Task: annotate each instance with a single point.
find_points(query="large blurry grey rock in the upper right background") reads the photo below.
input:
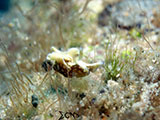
(127, 14)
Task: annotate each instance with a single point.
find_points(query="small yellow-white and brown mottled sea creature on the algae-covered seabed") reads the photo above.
(67, 60)
